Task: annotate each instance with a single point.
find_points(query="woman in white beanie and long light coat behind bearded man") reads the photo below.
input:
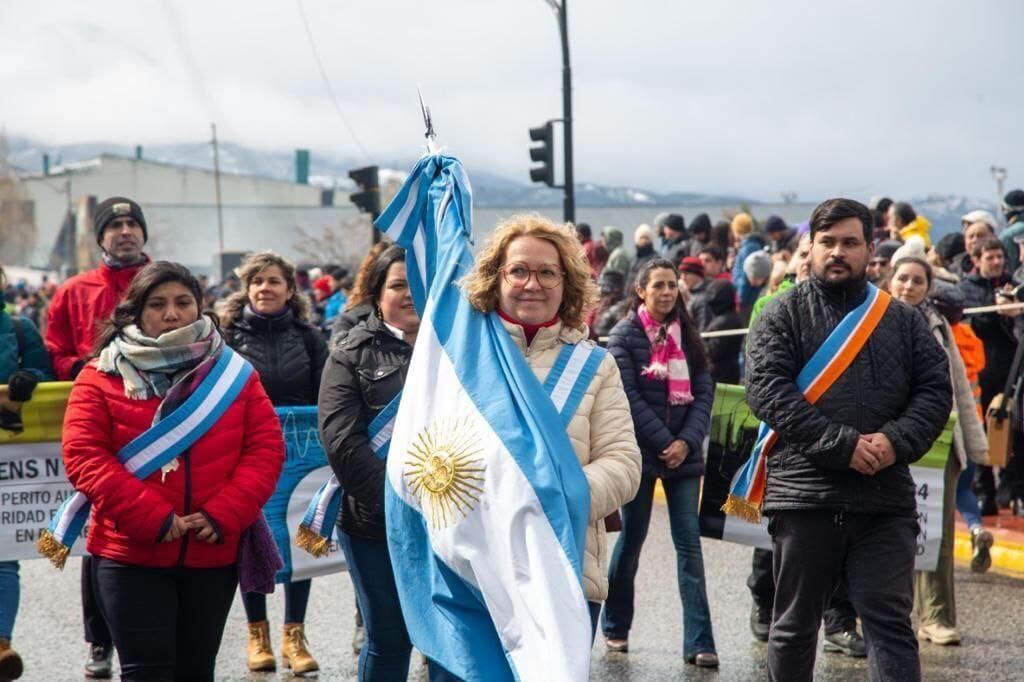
(933, 595)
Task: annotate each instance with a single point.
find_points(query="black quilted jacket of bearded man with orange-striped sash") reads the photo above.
(899, 385)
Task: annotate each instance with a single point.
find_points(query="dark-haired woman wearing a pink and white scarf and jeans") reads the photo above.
(665, 374)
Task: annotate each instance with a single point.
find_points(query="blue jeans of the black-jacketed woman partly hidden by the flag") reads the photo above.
(388, 648)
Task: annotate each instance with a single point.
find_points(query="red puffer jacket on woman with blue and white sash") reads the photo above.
(229, 474)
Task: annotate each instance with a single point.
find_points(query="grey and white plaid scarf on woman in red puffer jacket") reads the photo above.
(159, 368)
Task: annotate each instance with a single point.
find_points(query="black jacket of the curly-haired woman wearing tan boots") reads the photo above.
(288, 354)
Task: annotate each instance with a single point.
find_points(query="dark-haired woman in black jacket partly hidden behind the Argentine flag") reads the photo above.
(365, 372)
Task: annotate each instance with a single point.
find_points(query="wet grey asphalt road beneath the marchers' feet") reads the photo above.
(991, 609)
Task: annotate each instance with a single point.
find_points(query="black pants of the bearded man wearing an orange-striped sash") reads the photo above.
(815, 551)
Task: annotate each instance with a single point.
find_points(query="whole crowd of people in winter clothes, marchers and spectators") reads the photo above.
(169, 540)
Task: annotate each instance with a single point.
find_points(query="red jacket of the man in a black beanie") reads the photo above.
(78, 311)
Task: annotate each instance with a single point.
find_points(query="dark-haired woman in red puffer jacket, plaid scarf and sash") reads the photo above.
(167, 542)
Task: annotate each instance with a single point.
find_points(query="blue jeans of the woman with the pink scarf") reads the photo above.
(681, 495)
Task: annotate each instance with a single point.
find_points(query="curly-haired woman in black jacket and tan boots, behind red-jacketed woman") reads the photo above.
(268, 323)
